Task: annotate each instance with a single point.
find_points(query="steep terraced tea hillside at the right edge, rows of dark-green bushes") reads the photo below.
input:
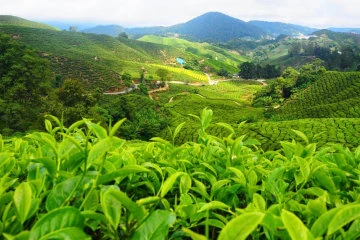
(333, 95)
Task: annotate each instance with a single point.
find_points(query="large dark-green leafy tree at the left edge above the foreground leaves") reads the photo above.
(24, 80)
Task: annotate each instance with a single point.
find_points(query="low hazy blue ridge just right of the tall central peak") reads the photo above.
(277, 28)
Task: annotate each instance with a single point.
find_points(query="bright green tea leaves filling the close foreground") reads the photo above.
(82, 182)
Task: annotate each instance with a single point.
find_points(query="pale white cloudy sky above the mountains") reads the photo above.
(138, 13)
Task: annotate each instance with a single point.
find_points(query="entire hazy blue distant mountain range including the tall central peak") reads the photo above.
(215, 26)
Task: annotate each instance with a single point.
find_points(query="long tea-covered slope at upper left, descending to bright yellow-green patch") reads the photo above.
(99, 60)
